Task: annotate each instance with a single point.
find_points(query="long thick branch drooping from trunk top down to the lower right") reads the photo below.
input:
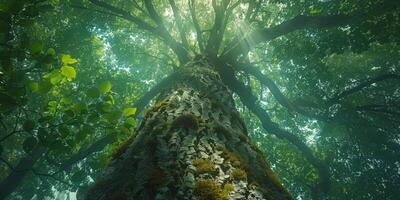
(250, 101)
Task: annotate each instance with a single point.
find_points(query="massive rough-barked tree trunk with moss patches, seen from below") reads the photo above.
(192, 144)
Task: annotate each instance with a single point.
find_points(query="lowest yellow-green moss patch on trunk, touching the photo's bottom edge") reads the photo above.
(208, 189)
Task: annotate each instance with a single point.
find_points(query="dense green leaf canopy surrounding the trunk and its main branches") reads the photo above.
(71, 72)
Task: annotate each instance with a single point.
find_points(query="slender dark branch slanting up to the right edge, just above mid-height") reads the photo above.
(361, 86)
